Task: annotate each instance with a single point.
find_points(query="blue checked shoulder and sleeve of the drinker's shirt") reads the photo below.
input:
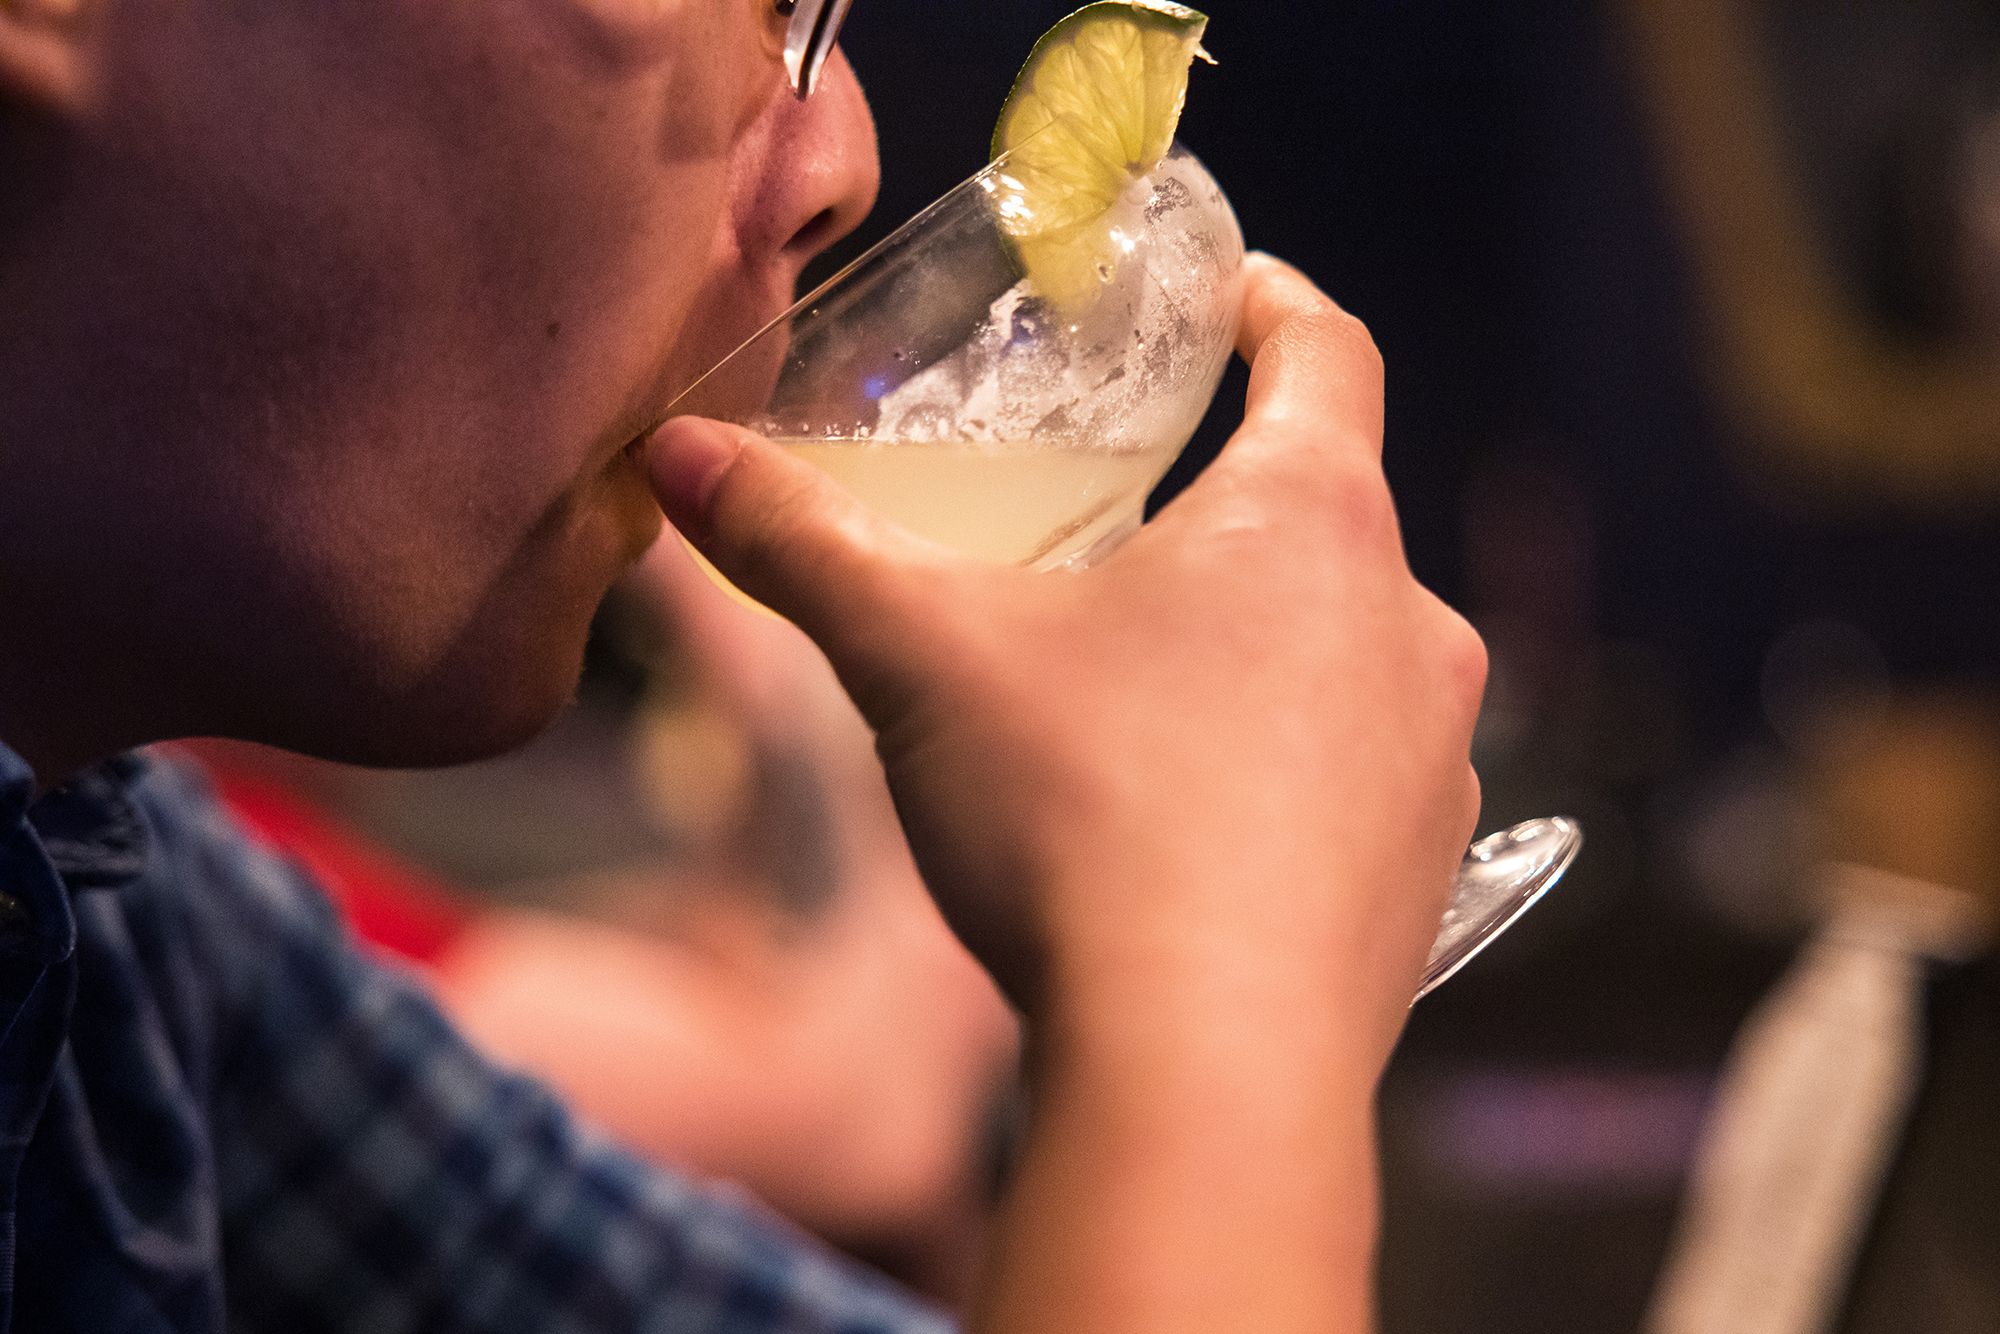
(435, 1187)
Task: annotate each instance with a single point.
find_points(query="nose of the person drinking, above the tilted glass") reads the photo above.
(817, 175)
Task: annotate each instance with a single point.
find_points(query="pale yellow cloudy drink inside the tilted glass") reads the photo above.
(1033, 503)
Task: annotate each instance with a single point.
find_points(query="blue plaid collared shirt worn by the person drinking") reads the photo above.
(217, 1115)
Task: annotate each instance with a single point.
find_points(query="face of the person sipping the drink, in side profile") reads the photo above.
(369, 303)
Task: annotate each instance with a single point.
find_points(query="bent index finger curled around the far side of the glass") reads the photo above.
(1311, 363)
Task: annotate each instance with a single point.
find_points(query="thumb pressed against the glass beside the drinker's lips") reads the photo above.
(791, 537)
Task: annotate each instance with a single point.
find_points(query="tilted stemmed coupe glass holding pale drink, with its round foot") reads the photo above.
(1021, 425)
